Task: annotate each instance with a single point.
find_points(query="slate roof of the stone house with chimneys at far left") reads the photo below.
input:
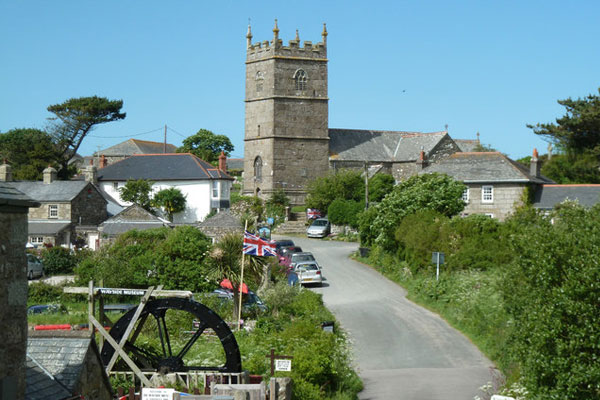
(58, 191)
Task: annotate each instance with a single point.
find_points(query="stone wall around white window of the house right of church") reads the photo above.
(506, 197)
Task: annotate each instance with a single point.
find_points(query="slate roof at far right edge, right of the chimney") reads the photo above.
(548, 196)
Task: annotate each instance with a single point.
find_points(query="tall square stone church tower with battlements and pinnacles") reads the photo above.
(286, 129)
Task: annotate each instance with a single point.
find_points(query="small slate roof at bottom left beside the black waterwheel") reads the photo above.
(60, 354)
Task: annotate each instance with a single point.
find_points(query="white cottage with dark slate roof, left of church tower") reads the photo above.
(205, 186)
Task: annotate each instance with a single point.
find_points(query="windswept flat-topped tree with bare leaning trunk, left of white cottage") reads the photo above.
(75, 118)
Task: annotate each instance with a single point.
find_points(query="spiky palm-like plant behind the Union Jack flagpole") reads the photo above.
(227, 264)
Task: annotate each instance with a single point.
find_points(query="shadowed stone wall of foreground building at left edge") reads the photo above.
(13, 303)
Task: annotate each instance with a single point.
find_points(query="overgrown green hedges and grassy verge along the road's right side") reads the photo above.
(525, 290)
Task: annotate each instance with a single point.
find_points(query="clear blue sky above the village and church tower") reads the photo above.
(484, 66)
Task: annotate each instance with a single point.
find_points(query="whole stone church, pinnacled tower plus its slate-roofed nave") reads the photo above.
(288, 142)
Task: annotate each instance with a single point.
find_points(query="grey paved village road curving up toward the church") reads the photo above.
(402, 351)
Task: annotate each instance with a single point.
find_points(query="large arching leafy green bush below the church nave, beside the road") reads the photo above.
(437, 192)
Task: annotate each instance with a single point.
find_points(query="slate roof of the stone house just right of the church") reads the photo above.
(484, 167)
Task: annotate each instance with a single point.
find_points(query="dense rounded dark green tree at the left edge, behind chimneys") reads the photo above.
(29, 152)
